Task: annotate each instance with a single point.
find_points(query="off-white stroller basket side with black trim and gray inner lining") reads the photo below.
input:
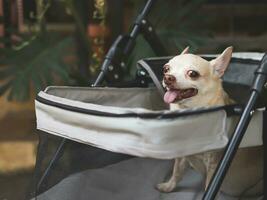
(92, 116)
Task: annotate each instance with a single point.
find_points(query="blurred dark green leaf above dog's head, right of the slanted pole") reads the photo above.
(180, 23)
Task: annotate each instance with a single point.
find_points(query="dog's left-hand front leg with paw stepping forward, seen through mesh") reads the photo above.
(177, 173)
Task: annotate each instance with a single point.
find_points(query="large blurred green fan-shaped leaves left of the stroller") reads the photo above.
(38, 58)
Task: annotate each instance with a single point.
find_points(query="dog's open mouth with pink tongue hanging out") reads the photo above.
(173, 95)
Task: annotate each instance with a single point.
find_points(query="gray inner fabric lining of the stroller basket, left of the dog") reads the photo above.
(148, 98)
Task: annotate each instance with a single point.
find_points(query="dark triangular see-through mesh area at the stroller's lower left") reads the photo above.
(73, 158)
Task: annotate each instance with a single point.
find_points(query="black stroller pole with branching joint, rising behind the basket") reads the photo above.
(124, 44)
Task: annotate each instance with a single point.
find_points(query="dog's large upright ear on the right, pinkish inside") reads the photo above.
(221, 63)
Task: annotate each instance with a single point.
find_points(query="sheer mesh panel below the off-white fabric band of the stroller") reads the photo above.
(83, 172)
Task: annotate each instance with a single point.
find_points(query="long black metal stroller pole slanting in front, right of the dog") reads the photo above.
(259, 81)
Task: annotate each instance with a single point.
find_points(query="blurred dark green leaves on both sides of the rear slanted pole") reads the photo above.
(177, 23)
